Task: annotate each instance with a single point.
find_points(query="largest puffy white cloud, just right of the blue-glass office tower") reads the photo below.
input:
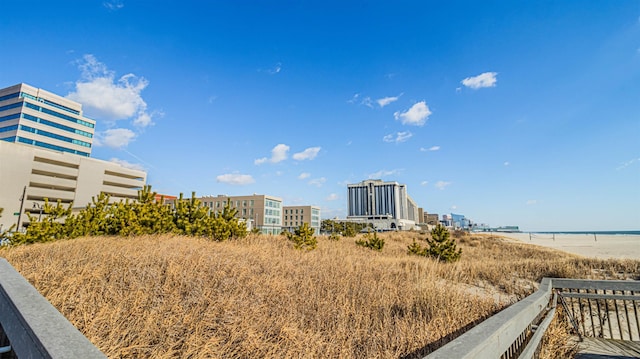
(103, 97)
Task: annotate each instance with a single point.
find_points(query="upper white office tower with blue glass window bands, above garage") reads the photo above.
(39, 118)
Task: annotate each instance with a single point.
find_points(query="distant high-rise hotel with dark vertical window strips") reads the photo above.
(385, 205)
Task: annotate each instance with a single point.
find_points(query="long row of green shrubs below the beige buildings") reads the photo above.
(131, 218)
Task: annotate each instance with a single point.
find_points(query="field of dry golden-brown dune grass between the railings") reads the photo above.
(169, 296)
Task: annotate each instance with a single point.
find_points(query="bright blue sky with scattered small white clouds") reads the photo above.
(509, 112)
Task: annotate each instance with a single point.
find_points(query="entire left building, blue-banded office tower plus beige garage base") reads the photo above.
(45, 147)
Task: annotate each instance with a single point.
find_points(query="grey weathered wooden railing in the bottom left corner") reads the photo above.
(30, 327)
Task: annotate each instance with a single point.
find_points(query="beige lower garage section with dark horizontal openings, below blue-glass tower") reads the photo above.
(74, 180)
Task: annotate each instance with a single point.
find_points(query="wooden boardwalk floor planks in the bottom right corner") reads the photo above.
(597, 348)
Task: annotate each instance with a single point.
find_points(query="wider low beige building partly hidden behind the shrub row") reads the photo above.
(258, 210)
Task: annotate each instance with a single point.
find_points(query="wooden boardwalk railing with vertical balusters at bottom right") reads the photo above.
(599, 308)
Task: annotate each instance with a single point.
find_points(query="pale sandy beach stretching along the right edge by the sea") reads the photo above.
(587, 245)
